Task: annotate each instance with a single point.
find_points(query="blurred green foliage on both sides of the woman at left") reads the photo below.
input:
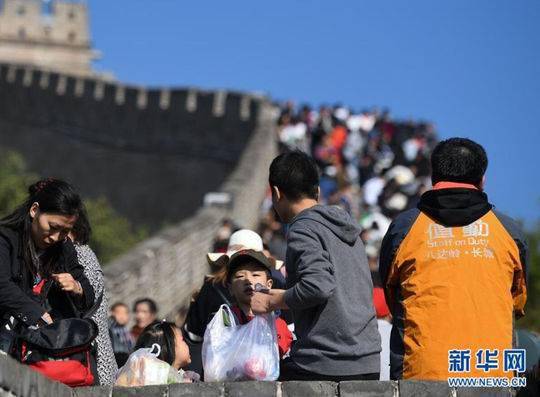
(112, 235)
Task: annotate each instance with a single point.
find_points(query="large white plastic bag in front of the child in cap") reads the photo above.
(233, 352)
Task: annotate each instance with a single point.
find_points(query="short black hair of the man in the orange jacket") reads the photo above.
(458, 160)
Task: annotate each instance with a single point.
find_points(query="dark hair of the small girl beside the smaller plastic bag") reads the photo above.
(162, 333)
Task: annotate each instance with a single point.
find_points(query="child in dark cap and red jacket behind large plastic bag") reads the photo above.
(246, 271)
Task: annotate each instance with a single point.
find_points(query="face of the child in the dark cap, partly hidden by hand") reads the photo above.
(245, 278)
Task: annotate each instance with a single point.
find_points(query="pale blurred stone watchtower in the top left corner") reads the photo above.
(52, 35)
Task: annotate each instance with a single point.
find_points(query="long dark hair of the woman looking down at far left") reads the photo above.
(54, 197)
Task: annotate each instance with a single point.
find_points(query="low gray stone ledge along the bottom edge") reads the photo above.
(20, 381)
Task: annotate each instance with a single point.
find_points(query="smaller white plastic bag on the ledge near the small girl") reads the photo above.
(143, 368)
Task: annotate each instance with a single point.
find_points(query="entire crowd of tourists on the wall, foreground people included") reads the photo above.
(378, 256)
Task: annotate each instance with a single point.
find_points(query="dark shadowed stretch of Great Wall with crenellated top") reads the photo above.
(157, 145)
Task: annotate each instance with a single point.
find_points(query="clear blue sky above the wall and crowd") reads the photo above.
(471, 67)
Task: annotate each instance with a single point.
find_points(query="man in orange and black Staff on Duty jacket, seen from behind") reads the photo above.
(454, 271)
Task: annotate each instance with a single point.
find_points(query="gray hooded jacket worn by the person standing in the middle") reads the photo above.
(329, 292)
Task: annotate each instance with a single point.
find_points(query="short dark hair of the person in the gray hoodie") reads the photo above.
(295, 174)
